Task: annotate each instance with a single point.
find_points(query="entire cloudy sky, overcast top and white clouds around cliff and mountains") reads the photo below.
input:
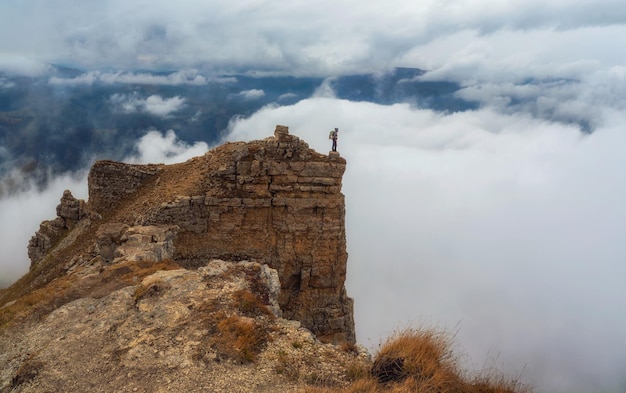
(504, 225)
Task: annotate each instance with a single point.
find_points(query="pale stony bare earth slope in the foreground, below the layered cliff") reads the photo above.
(176, 330)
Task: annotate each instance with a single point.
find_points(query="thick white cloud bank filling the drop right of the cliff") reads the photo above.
(505, 228)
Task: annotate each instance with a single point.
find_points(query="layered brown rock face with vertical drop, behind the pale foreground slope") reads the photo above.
(273, 201)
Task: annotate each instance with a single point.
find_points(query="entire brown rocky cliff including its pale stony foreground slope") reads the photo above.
(236, 256)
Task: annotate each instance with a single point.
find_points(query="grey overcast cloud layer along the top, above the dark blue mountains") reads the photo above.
(323, 37)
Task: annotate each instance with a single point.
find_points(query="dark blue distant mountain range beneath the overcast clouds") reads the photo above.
(60, 121)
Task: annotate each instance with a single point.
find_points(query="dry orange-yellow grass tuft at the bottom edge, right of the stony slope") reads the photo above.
(421, 361)
